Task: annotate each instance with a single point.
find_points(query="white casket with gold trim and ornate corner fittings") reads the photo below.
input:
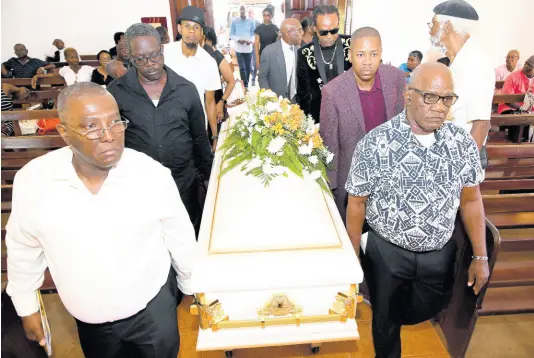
(276, 265)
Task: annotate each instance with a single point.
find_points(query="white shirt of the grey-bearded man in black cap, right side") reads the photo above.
(474, 83)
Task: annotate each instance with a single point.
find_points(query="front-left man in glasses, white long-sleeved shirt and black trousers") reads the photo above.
(112, 247)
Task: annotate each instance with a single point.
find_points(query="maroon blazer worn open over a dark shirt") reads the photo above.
(342, 125)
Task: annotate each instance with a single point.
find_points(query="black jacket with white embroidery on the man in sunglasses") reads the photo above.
(311, 75)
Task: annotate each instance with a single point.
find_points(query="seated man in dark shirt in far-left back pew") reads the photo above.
(23, 66)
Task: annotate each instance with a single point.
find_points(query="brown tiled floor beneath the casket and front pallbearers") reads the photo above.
(494, 337)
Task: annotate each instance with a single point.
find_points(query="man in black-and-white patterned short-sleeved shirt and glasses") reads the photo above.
(408, 177)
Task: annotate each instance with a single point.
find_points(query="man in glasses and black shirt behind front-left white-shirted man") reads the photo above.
(166, 116)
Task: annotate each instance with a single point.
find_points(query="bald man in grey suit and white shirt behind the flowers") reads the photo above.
(278, 61)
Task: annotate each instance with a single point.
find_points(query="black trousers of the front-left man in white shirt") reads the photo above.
(151, 333)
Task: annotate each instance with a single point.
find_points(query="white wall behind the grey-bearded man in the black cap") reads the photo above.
(503, 25)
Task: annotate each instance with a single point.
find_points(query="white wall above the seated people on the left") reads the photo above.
(86, 26)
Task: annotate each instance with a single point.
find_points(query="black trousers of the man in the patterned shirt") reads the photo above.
(405, 287)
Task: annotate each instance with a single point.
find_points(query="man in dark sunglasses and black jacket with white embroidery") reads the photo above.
(323, 59)
